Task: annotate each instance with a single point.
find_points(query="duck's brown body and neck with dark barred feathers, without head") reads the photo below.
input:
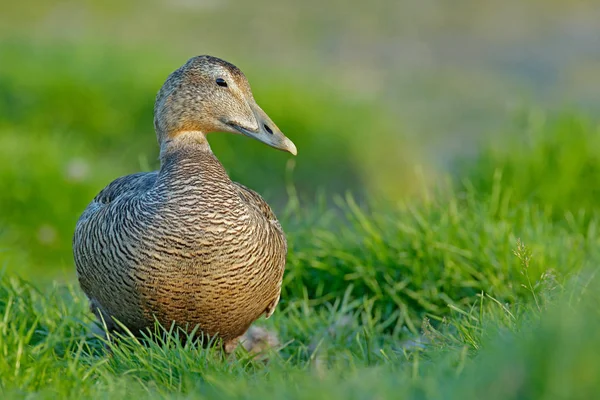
(183, 244)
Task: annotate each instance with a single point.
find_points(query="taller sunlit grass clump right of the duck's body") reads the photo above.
(417, 258)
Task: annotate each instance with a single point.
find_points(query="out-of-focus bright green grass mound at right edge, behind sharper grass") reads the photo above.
(552, 160)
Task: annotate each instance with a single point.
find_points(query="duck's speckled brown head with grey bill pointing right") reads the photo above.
(207, 95)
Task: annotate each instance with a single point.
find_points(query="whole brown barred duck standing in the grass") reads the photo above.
(185, 246)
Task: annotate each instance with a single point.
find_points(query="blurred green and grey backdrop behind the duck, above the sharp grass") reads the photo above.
(382, 98)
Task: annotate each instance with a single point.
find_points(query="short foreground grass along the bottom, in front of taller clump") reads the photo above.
(542, 345)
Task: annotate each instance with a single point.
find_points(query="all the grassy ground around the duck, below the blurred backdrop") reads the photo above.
(455, 307)
